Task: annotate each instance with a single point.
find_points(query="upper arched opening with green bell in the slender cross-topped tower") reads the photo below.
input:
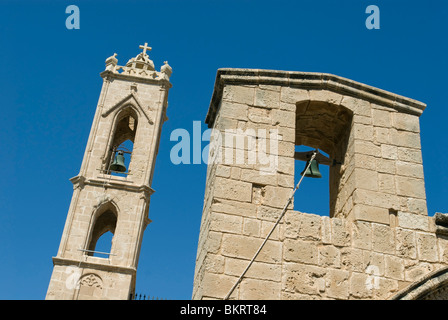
(119, 157)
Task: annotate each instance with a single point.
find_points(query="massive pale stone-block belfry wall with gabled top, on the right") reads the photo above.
(377, 238)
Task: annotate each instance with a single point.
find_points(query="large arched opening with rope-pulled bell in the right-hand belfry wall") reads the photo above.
(324, 127)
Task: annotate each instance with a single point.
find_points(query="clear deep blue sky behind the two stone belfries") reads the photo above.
(50, 86)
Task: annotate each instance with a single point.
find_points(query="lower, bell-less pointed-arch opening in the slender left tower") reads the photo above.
(102, 234)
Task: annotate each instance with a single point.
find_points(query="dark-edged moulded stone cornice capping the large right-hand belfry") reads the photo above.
(308, 81)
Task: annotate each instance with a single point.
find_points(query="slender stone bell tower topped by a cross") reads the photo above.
(111, 193)
